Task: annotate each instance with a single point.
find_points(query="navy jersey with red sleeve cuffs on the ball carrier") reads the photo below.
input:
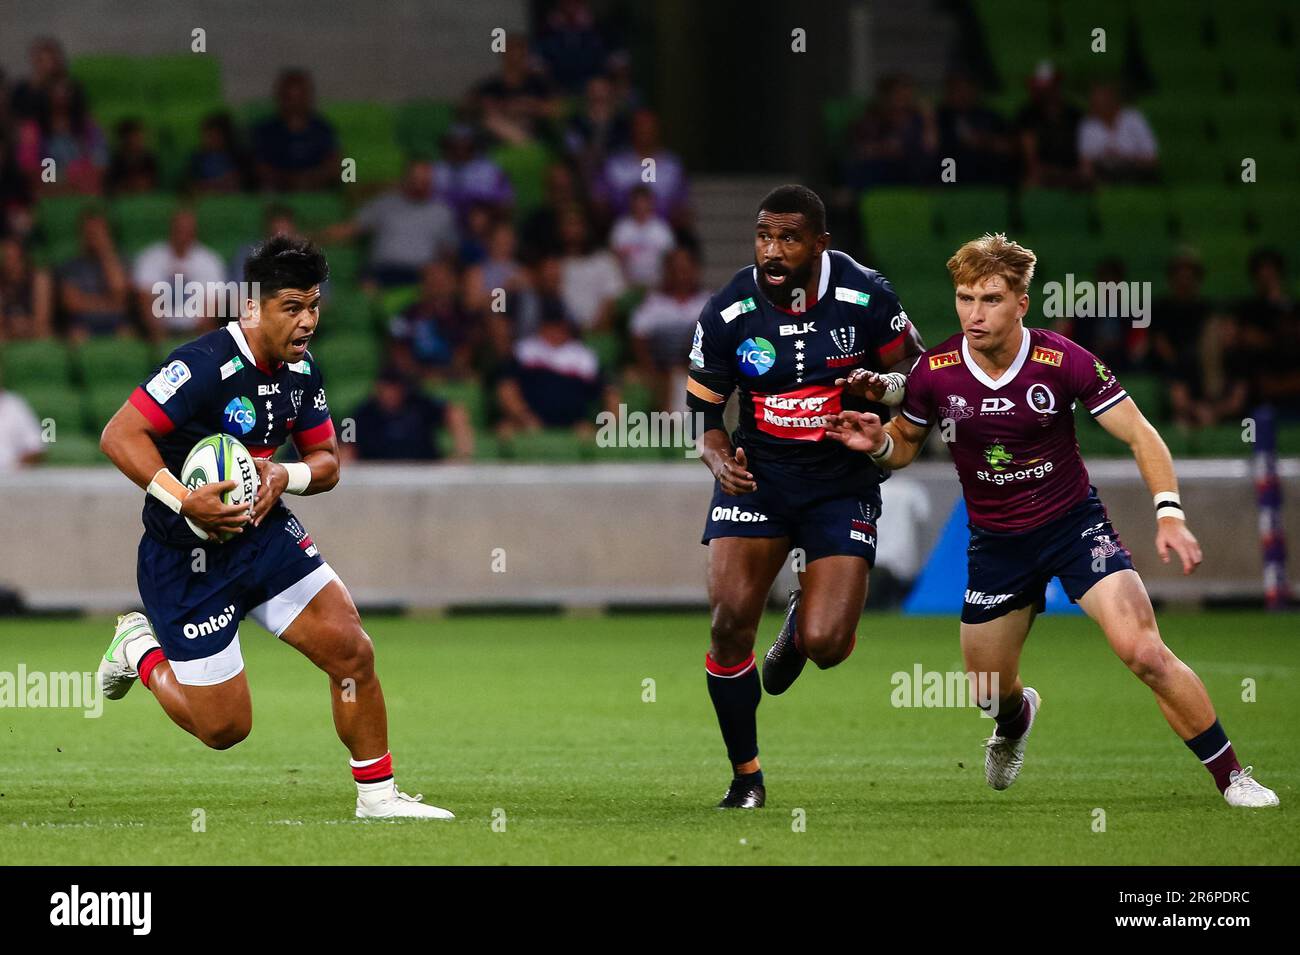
(214, 385)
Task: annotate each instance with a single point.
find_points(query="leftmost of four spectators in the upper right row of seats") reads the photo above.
(895, 141)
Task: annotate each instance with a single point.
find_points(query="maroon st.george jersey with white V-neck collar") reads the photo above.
(1013, 440)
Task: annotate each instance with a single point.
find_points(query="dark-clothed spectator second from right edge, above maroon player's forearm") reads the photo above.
(1178, 327)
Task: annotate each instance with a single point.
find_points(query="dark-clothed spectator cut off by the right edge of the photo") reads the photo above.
(1269, 333)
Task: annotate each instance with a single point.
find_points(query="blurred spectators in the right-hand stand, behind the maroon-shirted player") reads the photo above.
(1219, 358)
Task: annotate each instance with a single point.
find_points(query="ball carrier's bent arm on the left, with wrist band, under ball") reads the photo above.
(128, 441)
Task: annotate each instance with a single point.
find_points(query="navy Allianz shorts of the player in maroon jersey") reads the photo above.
(1007, 572)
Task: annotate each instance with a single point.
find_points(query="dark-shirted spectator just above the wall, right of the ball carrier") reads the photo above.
(401, 423)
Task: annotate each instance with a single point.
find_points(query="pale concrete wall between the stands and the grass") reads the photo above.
(578, 536)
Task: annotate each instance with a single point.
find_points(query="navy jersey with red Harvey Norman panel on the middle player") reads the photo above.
(786, 364)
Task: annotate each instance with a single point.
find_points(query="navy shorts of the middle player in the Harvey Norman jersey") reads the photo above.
(825, 519)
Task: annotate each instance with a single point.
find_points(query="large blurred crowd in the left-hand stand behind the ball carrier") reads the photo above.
(552, 307)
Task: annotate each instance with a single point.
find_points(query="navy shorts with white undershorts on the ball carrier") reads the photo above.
(197, 597)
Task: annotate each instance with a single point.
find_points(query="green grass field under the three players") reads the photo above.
(543, 718)
